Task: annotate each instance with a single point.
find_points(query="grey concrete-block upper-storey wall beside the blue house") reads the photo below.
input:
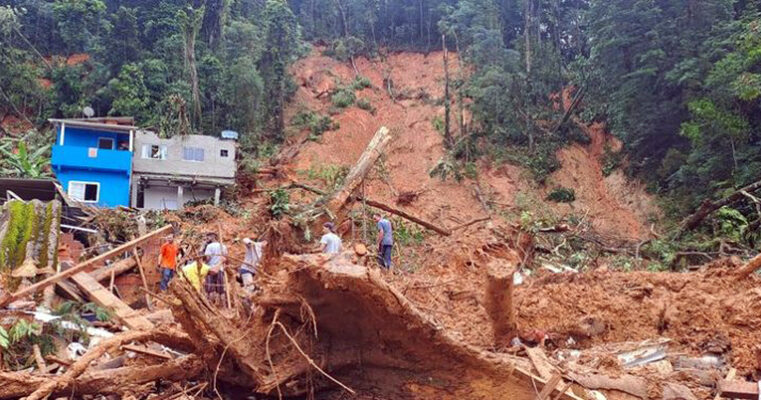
(214, 165)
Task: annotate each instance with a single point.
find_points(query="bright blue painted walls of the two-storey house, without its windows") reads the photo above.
(112, 169)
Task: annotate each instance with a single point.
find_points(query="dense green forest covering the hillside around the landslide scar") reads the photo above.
(677, 81)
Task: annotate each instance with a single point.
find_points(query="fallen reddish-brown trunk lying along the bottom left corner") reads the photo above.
(117, 381)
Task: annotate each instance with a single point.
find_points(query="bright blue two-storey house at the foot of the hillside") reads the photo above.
(92, 159)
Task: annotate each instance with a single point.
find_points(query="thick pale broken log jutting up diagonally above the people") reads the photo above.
(357, 174)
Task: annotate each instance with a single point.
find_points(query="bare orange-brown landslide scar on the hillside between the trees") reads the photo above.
(615, 206)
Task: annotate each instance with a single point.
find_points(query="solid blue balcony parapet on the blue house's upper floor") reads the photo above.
(92, 158)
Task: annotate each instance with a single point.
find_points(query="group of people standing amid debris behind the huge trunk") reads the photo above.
(207, 272)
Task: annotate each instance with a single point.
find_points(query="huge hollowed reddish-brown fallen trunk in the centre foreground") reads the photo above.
(297, 339)
